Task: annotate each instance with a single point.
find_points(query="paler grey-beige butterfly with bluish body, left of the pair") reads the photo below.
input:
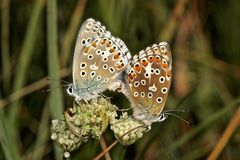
(99, 61)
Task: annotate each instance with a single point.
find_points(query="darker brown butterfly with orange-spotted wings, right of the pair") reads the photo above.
(148, 80)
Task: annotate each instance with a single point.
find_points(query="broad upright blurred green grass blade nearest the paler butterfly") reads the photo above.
(55, 101)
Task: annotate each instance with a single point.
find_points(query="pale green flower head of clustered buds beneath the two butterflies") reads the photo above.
(89, 120)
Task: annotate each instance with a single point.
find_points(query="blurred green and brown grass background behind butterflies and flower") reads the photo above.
(37, 41)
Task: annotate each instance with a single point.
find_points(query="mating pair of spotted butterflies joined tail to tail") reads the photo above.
(102, 62)
